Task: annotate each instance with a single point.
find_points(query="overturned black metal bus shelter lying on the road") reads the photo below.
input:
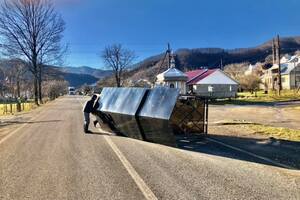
(153, 115)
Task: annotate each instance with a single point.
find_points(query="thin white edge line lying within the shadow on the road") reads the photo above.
(251, 154)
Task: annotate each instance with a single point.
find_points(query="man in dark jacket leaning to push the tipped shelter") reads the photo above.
(89, 107)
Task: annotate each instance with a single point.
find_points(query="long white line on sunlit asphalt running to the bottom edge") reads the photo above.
(147, 192)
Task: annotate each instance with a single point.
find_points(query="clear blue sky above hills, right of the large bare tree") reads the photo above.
(146, 26)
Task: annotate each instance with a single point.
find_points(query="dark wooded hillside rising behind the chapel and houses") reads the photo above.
(188, 59)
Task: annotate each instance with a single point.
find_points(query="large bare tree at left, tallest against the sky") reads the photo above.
(32, 30)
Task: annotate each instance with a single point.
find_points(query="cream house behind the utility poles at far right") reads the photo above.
(290, 74)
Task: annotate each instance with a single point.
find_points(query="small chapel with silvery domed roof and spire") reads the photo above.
(172, 78)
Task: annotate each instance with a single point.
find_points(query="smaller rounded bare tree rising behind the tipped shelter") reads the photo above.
(118, 58)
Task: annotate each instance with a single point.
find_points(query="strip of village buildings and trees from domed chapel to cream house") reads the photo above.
(217, 83)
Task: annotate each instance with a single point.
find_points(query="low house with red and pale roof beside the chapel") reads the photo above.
(212, 83)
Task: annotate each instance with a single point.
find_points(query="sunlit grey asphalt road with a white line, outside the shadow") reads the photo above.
(51, 158)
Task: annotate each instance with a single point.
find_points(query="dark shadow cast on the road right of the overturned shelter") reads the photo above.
(280, 151)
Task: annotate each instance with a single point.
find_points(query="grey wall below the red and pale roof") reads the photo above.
(218, 90)
